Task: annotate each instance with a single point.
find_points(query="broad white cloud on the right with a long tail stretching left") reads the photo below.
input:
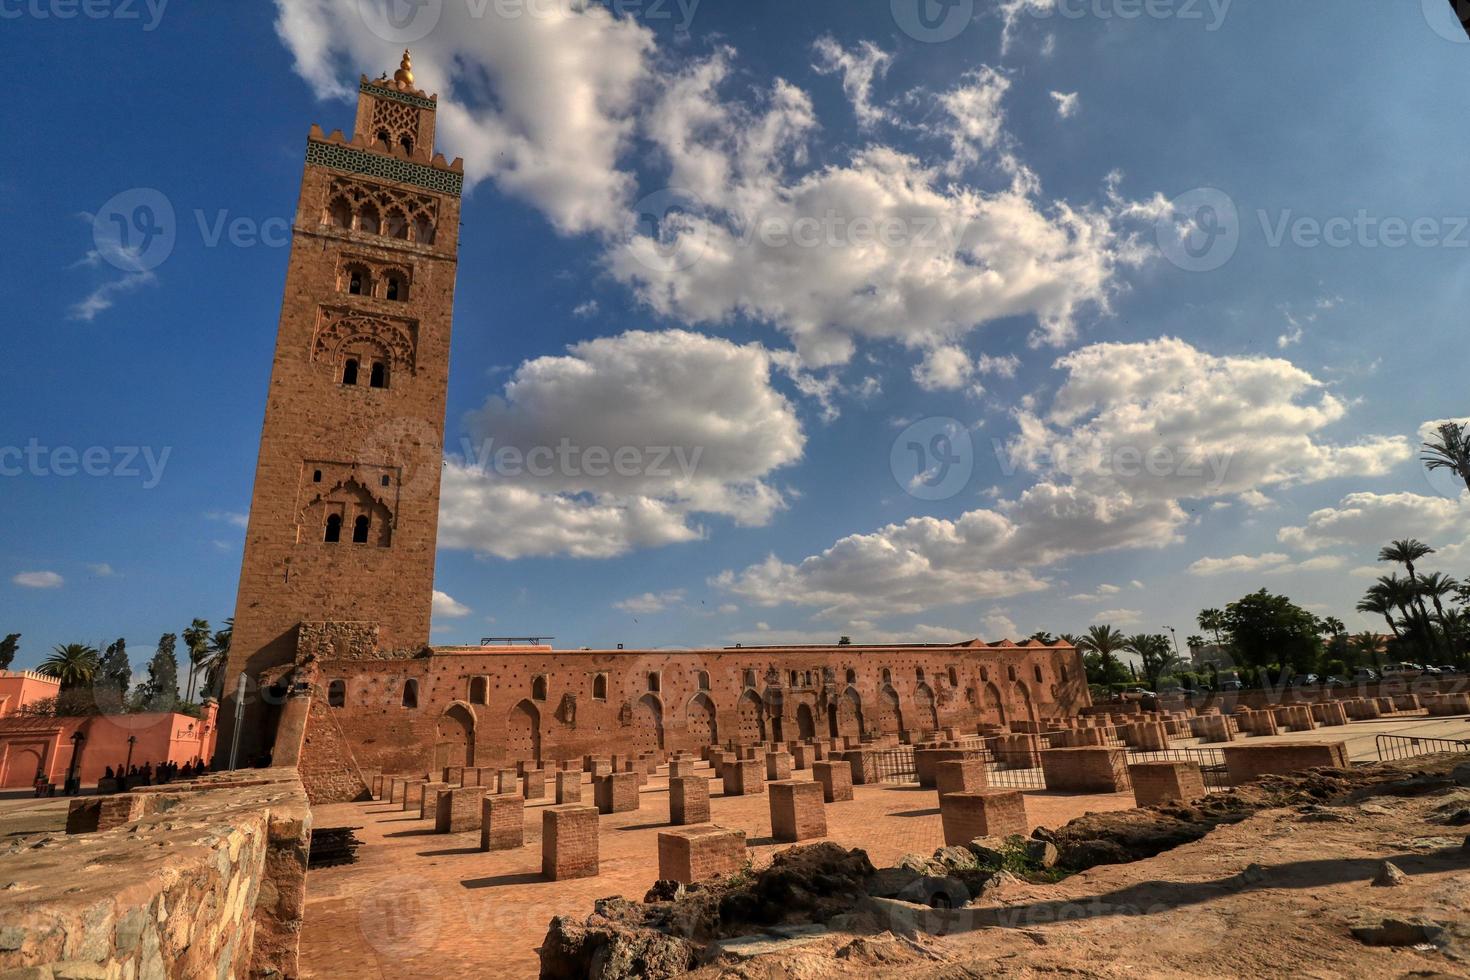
(1258, 417)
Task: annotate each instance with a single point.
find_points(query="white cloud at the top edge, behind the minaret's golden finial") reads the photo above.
(543, 105)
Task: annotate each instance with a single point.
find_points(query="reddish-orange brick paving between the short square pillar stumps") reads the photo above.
(420, 903)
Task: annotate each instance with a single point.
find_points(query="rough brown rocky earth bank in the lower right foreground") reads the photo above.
(1330, 873)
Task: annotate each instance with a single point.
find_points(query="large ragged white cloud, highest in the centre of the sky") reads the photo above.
(883, 246)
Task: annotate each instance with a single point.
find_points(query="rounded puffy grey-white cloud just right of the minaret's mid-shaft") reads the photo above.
(621, 444)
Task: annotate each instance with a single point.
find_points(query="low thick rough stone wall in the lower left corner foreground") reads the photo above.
(205, 879)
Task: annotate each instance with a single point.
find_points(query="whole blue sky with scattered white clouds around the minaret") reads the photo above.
(1061, 318)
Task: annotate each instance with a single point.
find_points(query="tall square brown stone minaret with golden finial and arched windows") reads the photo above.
(345, 514)
